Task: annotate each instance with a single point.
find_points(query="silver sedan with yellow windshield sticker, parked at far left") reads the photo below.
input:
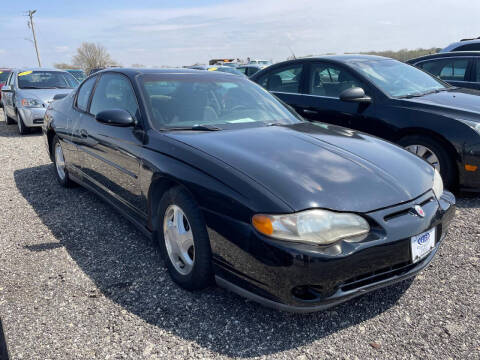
(28, 92)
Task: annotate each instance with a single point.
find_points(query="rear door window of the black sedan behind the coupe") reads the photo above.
(286, 79)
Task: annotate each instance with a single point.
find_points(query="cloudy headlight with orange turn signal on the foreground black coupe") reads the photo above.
(321, 227)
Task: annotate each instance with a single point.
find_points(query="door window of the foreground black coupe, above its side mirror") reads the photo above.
(114, 91)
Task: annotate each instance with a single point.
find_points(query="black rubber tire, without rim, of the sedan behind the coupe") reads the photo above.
(447, 165)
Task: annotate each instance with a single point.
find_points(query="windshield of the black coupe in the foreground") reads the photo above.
(189, 101)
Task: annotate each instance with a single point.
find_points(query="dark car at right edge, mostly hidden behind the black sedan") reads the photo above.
(459, 68)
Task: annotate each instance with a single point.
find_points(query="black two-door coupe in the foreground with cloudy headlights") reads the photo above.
(238, 189)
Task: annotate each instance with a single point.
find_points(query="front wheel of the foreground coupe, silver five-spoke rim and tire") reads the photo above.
(197, 274)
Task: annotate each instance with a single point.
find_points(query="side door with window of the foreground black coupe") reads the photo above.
(110, 155)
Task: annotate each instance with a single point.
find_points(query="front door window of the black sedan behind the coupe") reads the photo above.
(330, 80)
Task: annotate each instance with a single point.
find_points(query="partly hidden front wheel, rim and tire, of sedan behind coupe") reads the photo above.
(435, 154)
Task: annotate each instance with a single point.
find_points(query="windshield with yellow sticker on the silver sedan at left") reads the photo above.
(46, 80)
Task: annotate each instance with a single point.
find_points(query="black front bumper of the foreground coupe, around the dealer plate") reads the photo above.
(303, 278)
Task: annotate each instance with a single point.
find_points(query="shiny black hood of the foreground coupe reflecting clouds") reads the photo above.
(319, 166)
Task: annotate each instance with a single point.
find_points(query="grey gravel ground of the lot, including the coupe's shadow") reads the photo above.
(77, 281)
